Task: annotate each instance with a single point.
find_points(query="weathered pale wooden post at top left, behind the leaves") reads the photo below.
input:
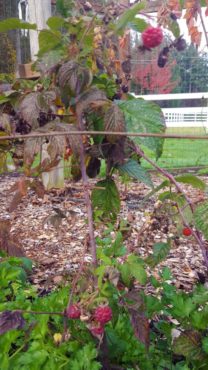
(38, 11)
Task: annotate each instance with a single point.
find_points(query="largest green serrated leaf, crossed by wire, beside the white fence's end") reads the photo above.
(144, 117)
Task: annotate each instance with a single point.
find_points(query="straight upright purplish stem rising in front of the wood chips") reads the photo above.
(87, 195)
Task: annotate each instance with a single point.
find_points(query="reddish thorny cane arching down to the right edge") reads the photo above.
(196, 234)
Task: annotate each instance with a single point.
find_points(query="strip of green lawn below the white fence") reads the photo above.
(182, 152)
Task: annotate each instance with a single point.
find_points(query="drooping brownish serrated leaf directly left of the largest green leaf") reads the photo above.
(114, 121)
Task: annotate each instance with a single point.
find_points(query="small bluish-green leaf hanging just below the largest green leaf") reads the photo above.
(135, 170)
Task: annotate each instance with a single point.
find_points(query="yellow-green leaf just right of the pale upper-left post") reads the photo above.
(48, 40)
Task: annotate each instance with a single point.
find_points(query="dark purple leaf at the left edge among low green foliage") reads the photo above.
(10, 320)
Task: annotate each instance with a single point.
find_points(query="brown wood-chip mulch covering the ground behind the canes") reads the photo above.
(57, 244)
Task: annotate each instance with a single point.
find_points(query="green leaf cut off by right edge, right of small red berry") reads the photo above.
(201, 218)
